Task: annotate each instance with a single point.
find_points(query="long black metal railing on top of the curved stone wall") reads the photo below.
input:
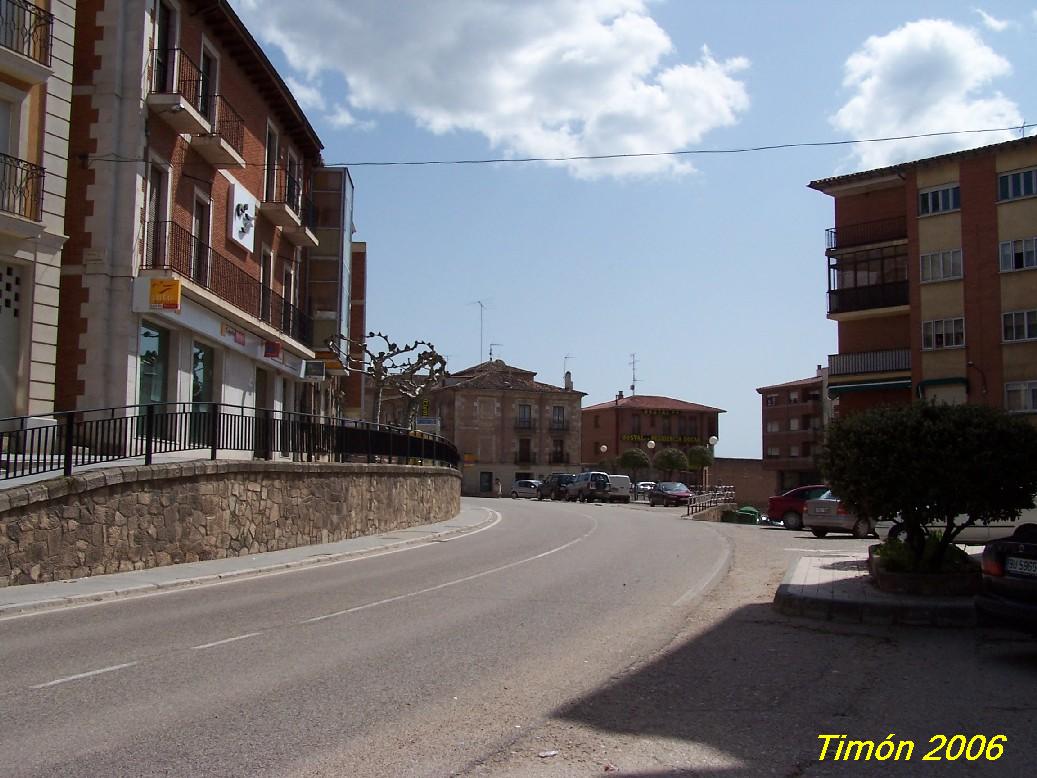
(82, 438)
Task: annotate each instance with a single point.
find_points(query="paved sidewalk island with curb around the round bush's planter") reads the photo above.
(839, 590)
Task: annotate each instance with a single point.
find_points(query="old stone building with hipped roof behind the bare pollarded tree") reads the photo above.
(507, 425)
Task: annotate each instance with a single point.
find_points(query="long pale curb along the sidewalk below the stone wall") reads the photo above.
(132, 591)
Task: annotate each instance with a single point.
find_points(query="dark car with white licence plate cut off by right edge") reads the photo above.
(1008, 597)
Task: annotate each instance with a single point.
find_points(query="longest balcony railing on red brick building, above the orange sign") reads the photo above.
(171, 247)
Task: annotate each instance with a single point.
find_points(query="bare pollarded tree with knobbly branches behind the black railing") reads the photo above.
(411, 370)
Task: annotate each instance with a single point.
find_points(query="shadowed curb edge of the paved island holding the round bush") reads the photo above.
(792, 601)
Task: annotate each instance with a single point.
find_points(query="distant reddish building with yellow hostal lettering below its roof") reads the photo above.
(634, 422)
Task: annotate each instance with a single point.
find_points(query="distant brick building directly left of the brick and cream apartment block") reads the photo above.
(794, 416)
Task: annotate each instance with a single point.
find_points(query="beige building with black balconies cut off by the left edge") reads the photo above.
(36, 90)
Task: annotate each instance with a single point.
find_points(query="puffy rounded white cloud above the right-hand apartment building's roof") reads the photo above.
(927, 77)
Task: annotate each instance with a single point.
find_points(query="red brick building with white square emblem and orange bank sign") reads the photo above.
(190, 214)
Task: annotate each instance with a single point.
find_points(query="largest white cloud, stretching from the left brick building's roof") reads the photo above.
(542, 78)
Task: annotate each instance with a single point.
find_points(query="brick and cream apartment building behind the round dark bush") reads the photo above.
(933, 281)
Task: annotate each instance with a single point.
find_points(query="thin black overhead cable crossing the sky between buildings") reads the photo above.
(626, 156)
